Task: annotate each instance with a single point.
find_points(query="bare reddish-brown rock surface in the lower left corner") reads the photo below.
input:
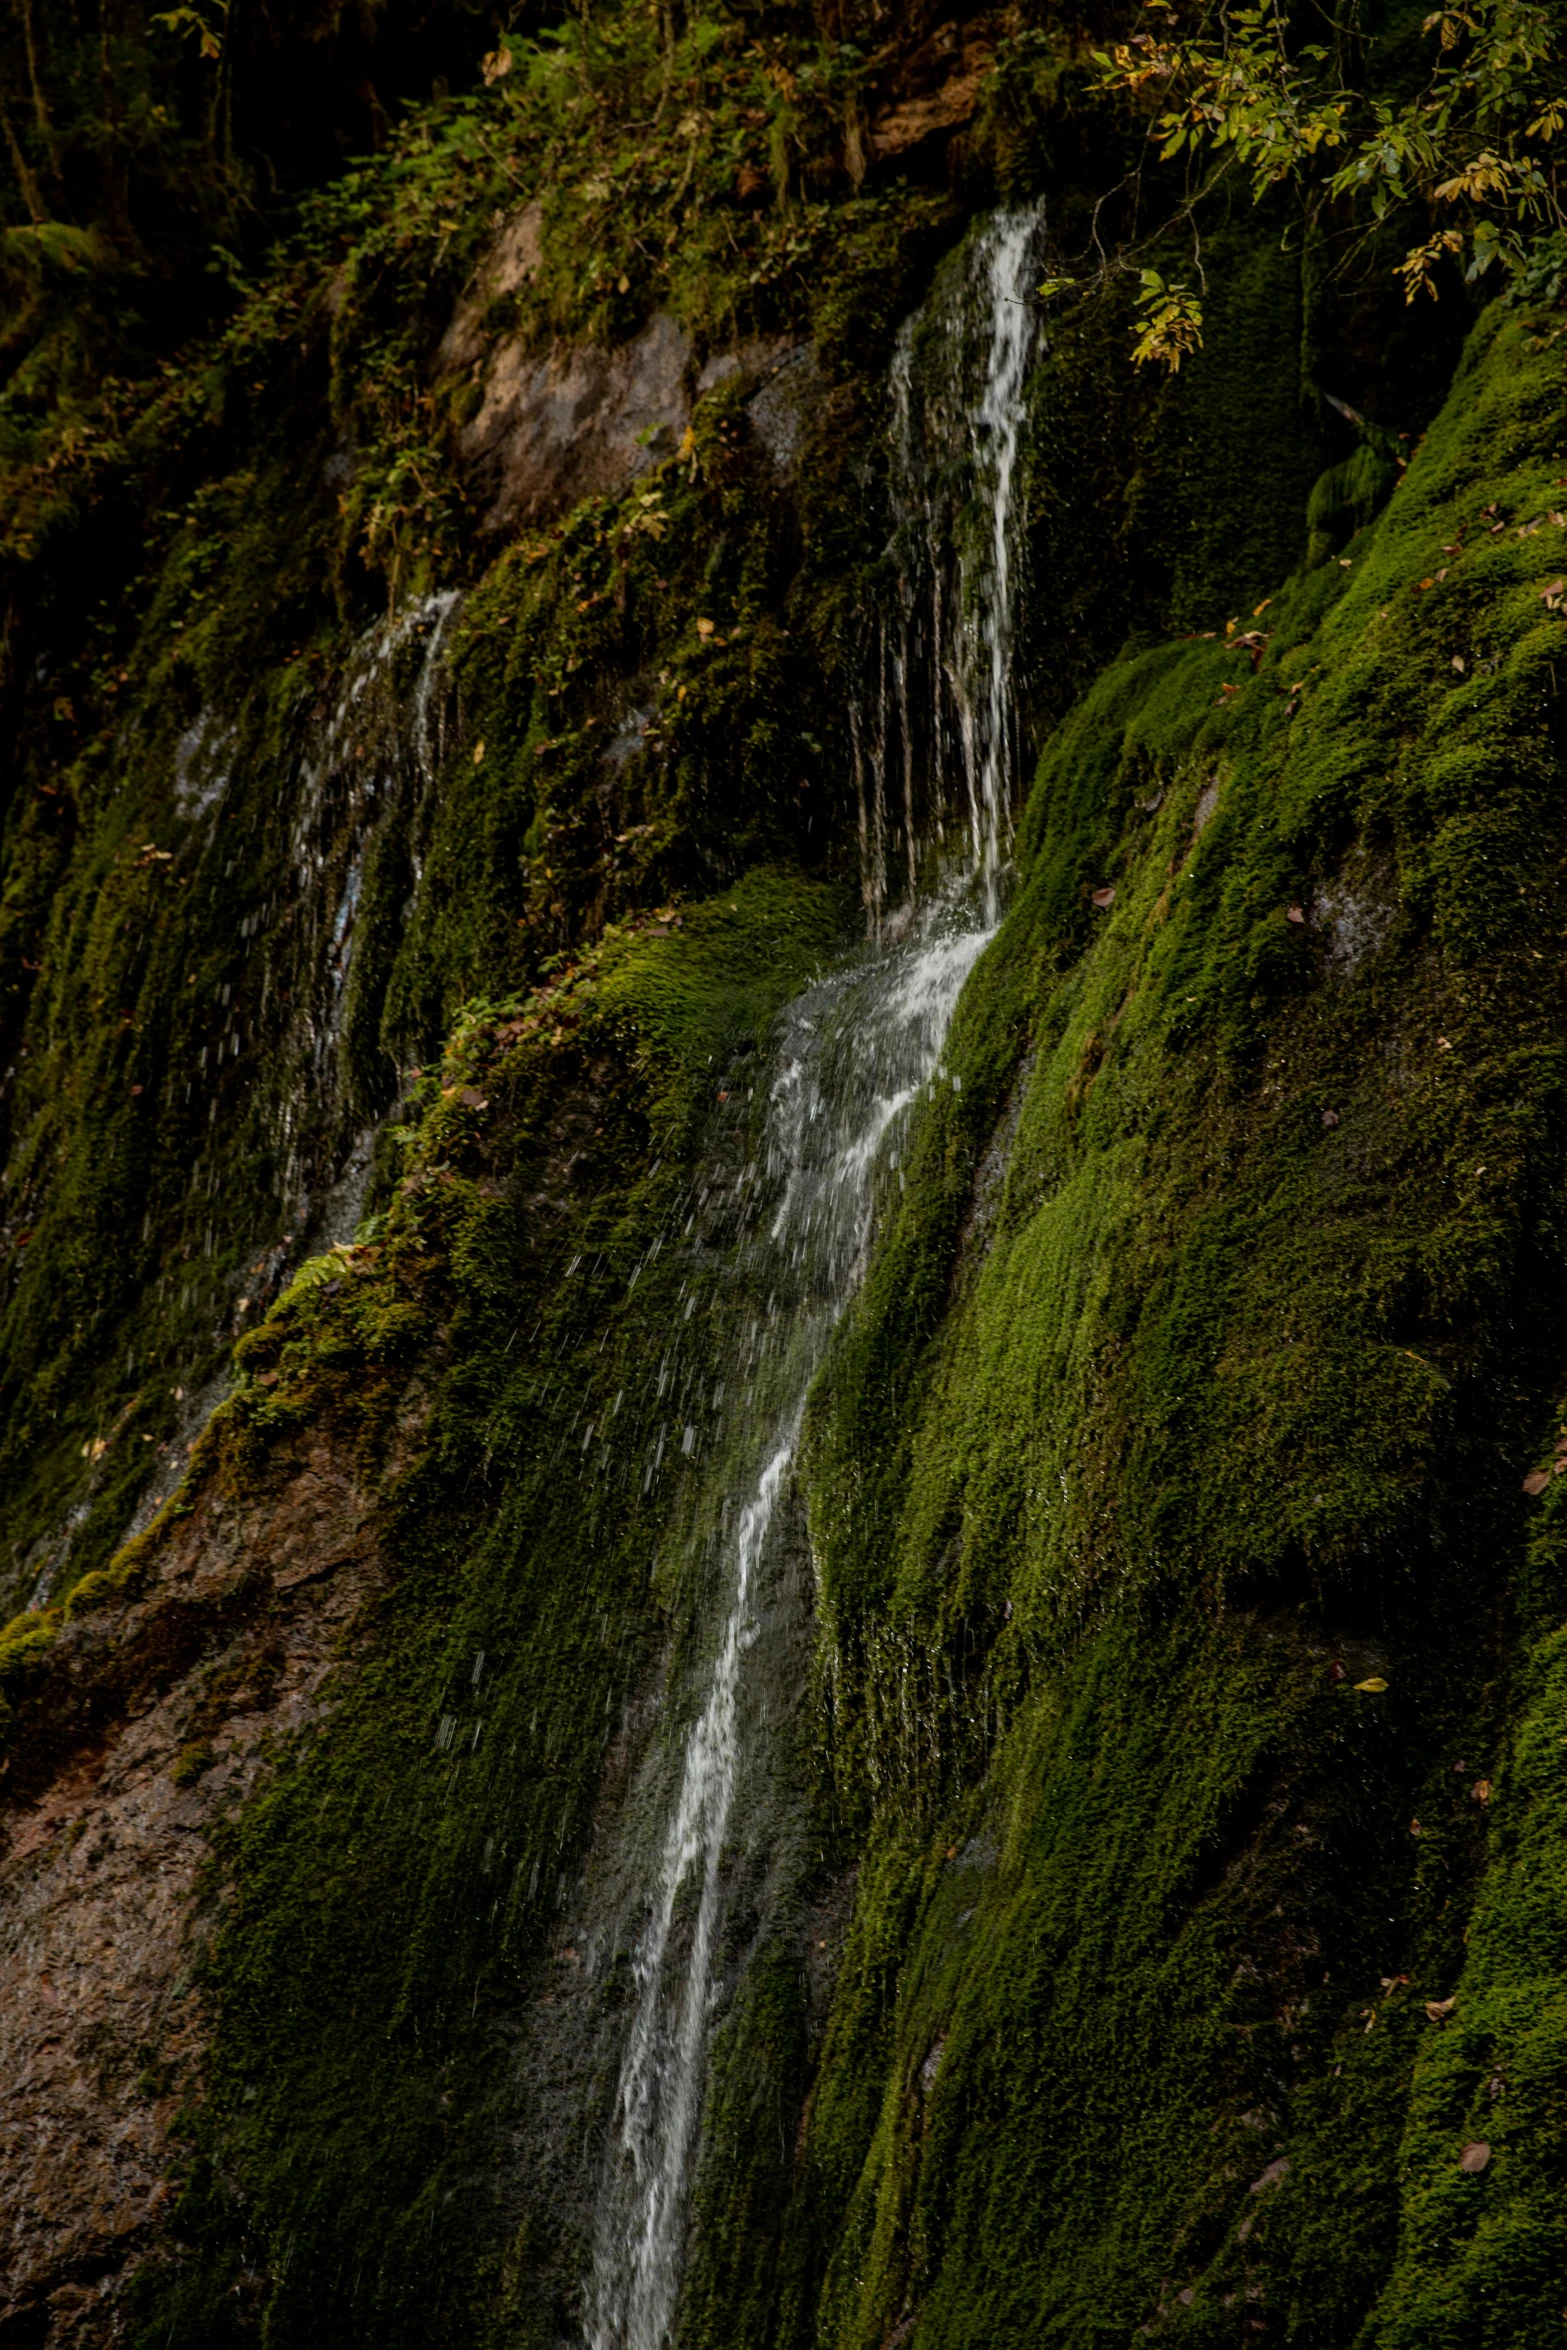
(161, 1721)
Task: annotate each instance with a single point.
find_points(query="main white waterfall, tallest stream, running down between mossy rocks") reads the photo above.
(849, 1059)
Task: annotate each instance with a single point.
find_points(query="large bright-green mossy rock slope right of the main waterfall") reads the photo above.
(1166, 1500)
